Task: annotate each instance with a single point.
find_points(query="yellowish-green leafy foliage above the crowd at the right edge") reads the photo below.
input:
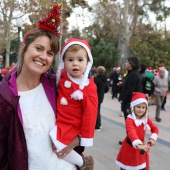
(150, 47)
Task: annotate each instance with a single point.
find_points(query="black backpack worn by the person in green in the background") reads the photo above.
(149, 86)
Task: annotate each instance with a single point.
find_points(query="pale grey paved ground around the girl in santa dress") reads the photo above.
(106, 145)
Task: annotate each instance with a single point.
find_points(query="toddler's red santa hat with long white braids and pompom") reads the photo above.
(77, 95)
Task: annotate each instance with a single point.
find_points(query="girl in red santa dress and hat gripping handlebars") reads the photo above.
(129, 156)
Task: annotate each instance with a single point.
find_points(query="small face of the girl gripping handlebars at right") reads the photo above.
(140, 110)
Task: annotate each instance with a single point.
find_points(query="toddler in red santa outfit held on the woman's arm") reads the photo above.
(77, 101)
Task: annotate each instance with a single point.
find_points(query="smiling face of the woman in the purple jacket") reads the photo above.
(38, 56)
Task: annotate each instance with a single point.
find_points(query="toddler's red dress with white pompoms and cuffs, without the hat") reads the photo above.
(76, 117)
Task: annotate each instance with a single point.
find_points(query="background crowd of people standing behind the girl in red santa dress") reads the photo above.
(152, 82)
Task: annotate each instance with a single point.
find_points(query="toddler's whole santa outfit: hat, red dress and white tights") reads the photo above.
(77, 104)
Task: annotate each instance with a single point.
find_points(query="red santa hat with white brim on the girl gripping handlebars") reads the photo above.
(137, 98)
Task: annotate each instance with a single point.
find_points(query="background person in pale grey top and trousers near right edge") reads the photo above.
(161, 89)
